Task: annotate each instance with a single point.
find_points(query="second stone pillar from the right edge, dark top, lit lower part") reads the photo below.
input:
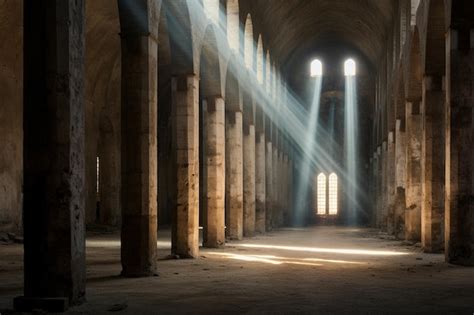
(433, 172)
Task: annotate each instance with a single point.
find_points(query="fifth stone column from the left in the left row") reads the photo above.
(234, 200)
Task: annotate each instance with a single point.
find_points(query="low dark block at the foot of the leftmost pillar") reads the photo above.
(29, 304)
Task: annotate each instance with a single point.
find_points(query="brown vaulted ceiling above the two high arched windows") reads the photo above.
(295, 27)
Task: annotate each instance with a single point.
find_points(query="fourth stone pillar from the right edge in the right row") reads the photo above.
(400, 179)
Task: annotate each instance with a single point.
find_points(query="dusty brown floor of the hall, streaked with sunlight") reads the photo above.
(314, 270)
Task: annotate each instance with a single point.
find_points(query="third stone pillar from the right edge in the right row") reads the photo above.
(413, 189)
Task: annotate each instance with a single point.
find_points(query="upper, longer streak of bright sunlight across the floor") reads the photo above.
(325, 250)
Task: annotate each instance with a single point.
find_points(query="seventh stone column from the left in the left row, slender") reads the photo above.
(260, 183)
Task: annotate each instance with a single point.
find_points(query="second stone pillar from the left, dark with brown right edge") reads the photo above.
(139, 154)
